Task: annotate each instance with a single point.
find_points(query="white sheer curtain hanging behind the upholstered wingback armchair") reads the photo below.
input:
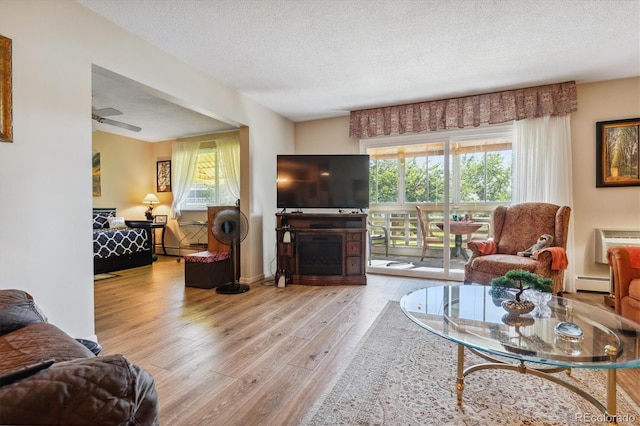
(542, 170)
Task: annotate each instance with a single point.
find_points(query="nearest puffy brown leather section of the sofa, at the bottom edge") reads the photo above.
(105, 390)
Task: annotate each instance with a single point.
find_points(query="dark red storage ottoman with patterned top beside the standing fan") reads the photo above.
(207, 269)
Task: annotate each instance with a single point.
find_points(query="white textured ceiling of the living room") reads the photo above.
(312, 59)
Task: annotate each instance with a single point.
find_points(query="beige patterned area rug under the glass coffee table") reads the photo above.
(404, 375)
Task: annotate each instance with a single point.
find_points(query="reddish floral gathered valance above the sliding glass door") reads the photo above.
(489, 108)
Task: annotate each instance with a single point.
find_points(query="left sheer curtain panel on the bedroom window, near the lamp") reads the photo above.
(183, 163)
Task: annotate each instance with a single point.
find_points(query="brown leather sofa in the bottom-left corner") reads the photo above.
(48, 377)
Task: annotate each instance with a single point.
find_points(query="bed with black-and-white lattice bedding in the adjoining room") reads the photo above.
(118, 243)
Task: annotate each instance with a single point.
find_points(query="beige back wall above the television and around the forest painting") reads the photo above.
(593, 207)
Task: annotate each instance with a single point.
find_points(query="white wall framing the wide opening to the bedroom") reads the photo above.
(45, 174)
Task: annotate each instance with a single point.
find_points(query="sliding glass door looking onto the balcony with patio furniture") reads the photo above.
(431, 195)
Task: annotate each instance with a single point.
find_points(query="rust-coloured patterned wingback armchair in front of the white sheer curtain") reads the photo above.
(515, 229)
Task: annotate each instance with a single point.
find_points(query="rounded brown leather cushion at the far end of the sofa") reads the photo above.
(17, 310)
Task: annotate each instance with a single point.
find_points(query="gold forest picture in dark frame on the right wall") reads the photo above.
(617, 145)
